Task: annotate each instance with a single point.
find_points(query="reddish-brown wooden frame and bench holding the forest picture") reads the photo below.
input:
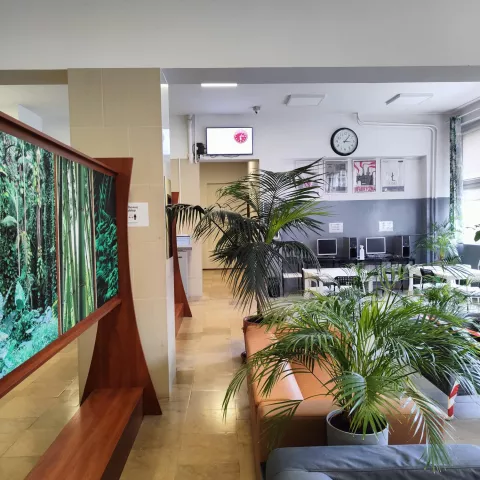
(119, 389)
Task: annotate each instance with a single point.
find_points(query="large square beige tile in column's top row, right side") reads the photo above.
(131, 97)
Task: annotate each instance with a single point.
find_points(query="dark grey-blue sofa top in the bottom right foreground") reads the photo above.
(402, 462)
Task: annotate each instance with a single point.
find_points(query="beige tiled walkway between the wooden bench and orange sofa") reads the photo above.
(192, 440)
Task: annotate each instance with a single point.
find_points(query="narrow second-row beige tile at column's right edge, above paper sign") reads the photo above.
(146, 150)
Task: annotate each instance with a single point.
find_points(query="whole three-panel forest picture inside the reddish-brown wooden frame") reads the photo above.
(57, 226)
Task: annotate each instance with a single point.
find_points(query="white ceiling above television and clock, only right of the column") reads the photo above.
(339, 97)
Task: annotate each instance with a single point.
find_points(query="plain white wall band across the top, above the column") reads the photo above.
(206, 33)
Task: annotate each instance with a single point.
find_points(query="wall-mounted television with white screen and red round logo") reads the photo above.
(229, 141)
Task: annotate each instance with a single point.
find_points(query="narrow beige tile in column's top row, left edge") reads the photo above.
(85, 99)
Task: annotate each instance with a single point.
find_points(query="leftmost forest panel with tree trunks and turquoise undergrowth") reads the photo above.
(28, 272)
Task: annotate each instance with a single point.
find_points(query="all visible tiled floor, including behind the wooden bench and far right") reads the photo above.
(191, 440)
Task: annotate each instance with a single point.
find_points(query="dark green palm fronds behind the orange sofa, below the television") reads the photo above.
(247, 221)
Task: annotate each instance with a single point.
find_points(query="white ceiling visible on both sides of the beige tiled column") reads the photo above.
(51, 101)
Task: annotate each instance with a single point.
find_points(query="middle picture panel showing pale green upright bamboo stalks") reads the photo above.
(76, 226)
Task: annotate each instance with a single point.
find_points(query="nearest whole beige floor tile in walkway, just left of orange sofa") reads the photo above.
(208, 449)
